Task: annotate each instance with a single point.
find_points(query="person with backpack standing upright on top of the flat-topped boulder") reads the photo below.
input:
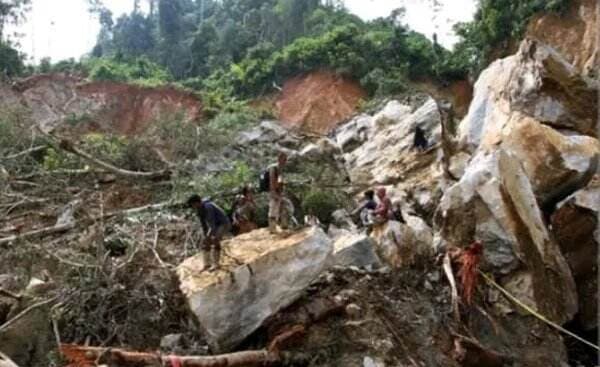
(276, 198)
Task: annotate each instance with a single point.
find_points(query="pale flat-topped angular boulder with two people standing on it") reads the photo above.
(262, 274)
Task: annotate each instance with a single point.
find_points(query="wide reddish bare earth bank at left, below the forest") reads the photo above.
(106, 106)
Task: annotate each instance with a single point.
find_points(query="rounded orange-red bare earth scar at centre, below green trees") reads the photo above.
(318, 101)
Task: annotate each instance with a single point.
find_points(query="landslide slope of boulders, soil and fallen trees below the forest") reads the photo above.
(103, 261)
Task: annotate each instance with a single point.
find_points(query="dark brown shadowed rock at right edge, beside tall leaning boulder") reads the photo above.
(576, 226)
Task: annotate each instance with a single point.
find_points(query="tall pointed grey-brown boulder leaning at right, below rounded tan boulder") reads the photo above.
(494, 203)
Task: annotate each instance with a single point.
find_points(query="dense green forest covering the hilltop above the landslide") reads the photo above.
(242, 48)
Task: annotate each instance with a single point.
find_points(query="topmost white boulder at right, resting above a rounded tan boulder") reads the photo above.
(536, 82)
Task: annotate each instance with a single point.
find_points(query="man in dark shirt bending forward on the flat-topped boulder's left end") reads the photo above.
(215, 225)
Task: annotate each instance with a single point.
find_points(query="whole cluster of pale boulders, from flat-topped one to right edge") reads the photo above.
(527, 189)
